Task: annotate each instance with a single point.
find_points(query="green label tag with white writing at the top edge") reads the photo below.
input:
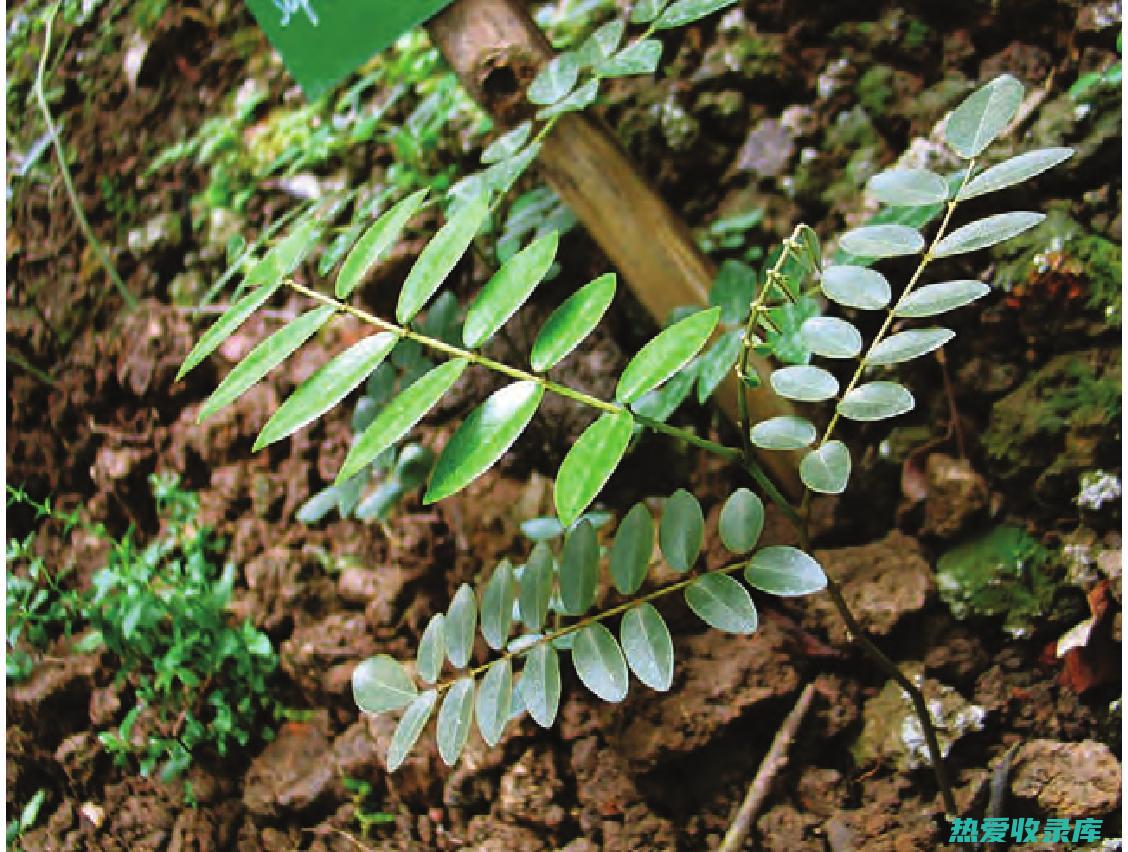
(323, 41)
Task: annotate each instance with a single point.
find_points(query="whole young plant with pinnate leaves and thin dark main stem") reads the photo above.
(549, 602)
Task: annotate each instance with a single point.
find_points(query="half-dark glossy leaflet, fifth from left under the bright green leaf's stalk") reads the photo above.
(483, 438)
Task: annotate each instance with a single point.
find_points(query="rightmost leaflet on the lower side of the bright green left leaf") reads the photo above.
(591, 463)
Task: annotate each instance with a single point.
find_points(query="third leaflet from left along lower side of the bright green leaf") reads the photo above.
(327, 388)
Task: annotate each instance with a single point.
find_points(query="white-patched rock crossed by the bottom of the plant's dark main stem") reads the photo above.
(893, 732)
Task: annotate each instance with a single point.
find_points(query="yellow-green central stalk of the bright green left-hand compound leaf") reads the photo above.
(594, 402)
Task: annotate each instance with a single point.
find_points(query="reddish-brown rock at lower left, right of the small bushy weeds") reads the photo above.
(293, 775)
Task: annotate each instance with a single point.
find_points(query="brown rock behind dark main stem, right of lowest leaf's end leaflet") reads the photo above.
(883, 583)
